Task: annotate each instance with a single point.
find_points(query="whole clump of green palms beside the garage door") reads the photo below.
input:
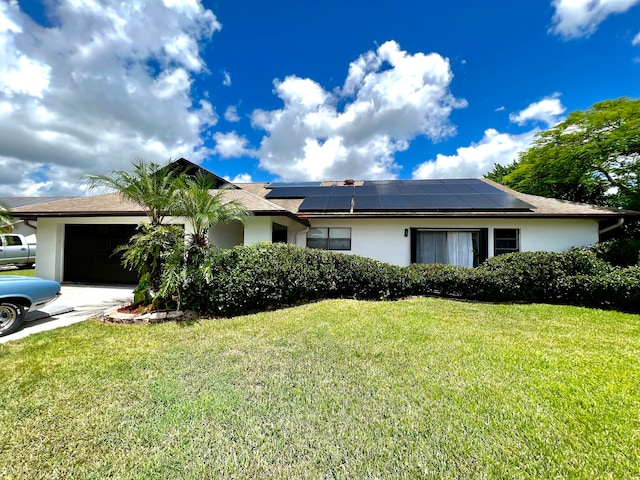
(159, 252)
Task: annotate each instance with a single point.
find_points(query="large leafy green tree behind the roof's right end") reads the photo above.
(593, 157)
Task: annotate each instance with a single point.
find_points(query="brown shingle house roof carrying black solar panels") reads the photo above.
(339, 199)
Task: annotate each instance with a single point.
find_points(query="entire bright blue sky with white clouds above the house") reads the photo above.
(297, 90)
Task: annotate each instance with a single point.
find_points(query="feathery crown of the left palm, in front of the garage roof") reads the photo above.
(150, 186)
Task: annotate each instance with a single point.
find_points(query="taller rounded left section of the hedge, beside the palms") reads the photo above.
(266, 276)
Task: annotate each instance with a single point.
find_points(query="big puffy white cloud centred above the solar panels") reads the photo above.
(388, 98)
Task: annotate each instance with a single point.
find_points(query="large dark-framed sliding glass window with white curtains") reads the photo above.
(465, 248)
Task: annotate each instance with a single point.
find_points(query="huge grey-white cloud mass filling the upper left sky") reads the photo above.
(101, 87)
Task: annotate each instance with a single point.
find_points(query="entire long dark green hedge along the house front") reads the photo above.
(265, 276)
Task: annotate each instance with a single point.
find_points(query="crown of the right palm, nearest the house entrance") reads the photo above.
(203, 207)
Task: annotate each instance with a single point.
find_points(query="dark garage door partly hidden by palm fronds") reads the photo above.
(89, 257)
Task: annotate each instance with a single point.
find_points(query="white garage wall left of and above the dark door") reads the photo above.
(50, 253)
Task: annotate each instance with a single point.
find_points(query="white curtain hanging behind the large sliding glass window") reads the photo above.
(453, 248)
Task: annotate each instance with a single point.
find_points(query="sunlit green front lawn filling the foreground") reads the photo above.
(421, 388)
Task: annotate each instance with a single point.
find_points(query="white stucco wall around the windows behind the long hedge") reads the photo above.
(384, 239)
